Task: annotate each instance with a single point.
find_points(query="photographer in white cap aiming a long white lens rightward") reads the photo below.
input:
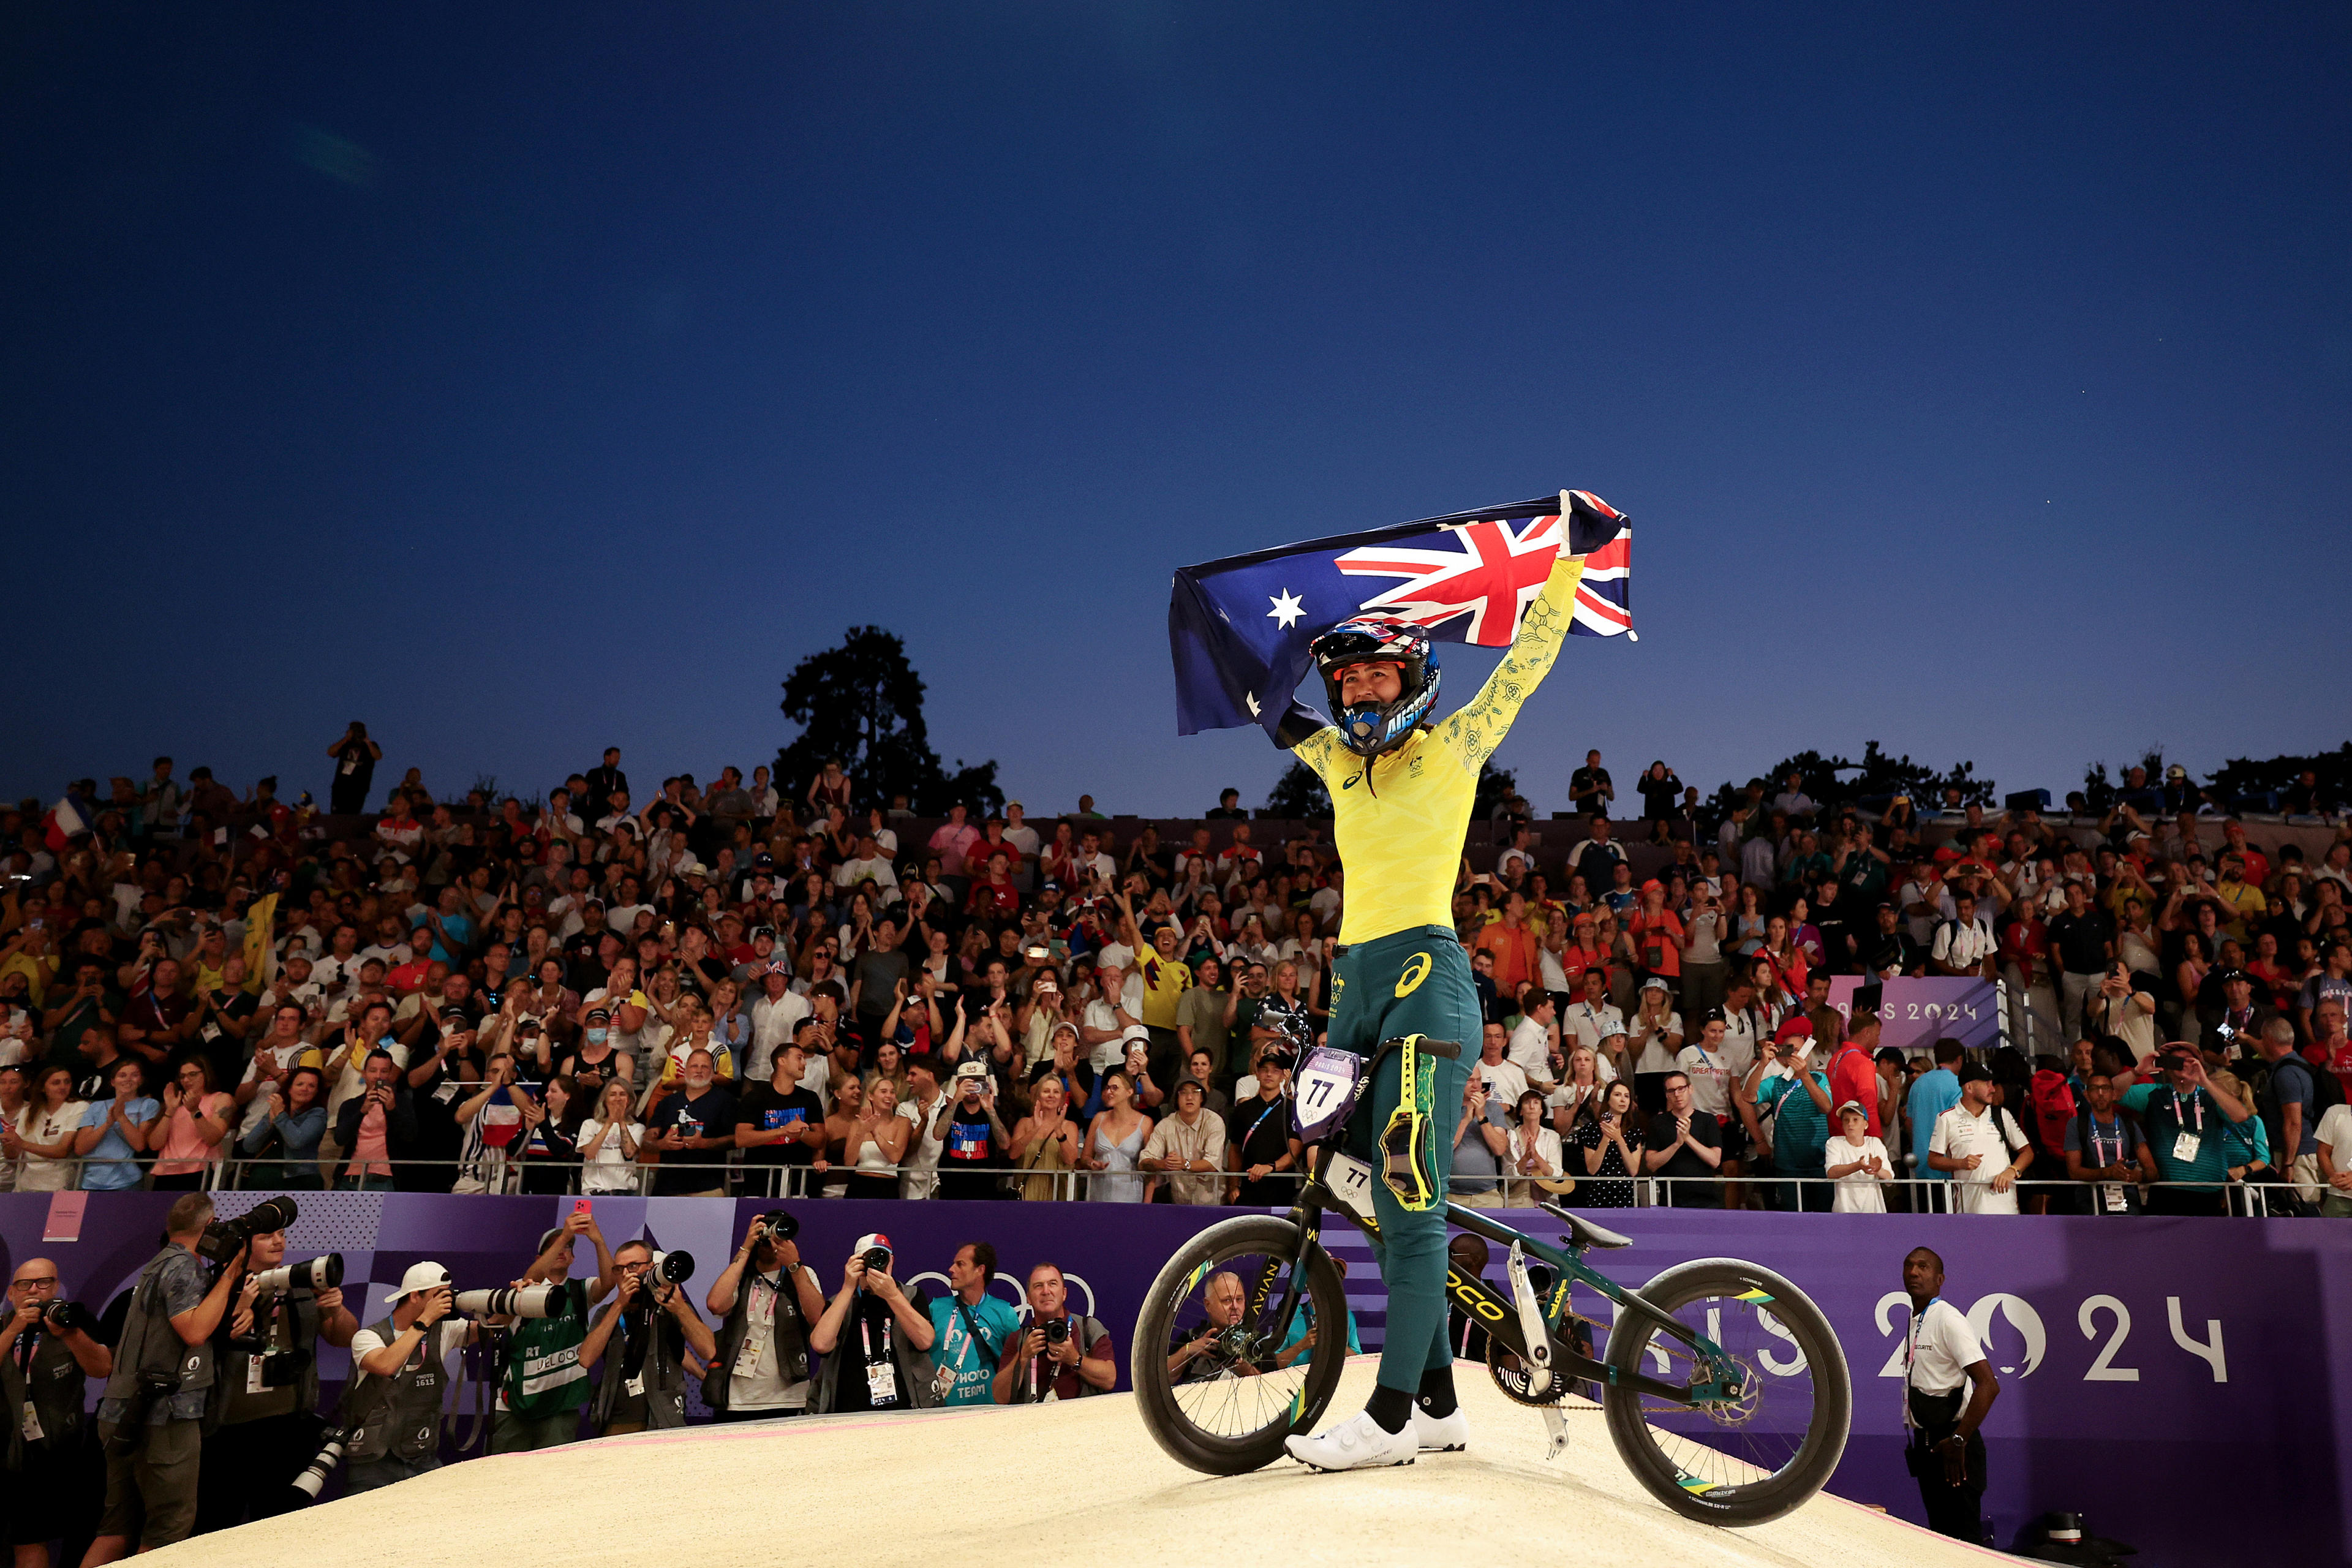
(396, 1423)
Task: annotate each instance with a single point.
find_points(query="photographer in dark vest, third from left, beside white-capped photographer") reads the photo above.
(265, 1395)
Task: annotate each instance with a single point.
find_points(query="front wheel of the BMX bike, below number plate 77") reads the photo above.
(1257, 1381)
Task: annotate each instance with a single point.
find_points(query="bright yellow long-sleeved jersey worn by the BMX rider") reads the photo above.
(1403, 836)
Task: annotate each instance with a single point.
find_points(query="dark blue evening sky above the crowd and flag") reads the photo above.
(1977, 377)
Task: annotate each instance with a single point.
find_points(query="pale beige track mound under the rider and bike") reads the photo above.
(1071, 1485)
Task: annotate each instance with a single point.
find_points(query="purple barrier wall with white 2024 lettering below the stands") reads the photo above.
(2186, 1383)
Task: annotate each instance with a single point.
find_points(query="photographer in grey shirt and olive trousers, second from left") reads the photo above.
(154, 1412)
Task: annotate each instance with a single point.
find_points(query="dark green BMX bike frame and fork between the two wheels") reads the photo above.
(1492, 1311)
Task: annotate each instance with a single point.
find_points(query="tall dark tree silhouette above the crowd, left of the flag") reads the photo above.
(862, 704)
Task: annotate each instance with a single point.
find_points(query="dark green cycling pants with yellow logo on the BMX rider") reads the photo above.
(1410, 984)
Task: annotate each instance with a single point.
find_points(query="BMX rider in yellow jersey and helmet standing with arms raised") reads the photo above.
(1401, 789)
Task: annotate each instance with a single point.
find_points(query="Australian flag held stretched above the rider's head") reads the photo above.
(1241, 626)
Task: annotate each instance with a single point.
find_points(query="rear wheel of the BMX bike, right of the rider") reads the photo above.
(1760, 1454)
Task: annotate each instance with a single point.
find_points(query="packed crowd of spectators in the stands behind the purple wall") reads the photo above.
(726, 989)
